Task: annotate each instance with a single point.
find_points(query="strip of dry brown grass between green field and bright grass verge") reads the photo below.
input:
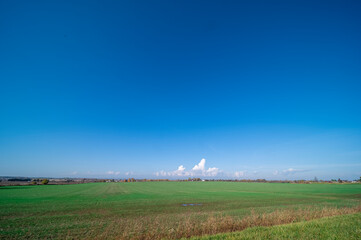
(188, 225)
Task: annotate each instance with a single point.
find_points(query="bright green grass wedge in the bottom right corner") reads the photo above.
(345, 227)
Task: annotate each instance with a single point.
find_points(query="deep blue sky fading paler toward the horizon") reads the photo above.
(259, 89)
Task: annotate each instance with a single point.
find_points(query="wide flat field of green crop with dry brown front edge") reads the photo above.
(154, 210)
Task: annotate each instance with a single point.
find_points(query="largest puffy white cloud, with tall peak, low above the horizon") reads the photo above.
(197, 170)
